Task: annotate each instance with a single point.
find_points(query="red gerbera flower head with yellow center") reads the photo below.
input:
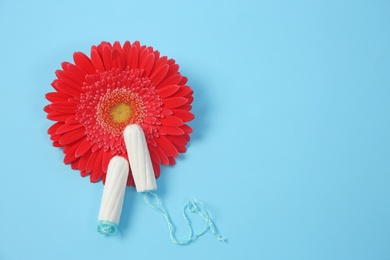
(96, 98)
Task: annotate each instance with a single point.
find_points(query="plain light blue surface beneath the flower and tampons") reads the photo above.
(291, 143)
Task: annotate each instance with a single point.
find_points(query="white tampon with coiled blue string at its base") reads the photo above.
(113, 195)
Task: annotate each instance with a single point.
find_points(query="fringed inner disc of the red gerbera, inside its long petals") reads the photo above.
(112, 100)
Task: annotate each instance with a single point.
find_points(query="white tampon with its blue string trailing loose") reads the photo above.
(139, 158)
